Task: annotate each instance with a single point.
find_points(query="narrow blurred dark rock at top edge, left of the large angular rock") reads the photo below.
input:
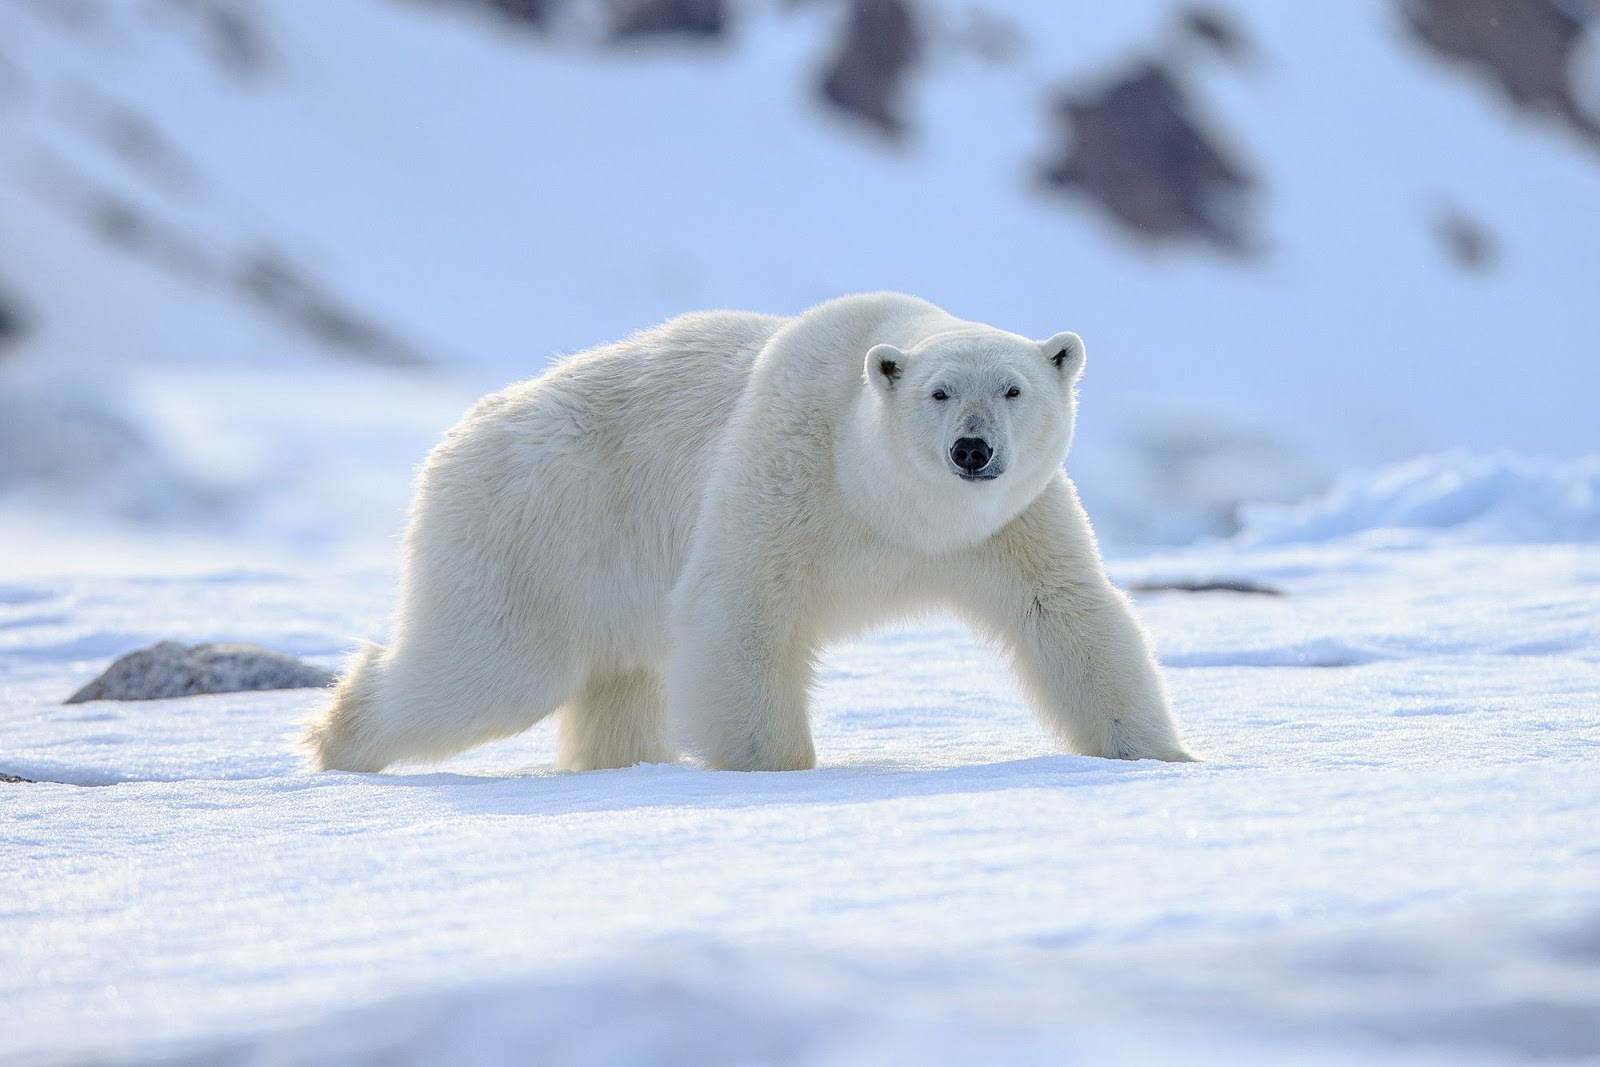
(878, 54)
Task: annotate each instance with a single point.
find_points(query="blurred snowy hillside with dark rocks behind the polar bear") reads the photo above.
(255, 255)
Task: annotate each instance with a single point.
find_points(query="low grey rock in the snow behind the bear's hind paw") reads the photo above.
(174, 669)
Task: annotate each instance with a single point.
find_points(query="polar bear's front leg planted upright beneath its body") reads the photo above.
(740, 674)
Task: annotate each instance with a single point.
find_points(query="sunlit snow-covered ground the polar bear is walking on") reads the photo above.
(1391, 853)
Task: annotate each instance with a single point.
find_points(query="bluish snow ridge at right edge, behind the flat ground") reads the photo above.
(1474, 498)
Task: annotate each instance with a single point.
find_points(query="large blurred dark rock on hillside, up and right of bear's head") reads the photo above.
(1138, 150)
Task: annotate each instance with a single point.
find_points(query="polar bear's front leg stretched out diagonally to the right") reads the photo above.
(1084, 661)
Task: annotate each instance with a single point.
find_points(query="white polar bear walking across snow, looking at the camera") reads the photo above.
(666, 530)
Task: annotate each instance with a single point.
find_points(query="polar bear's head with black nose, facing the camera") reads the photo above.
(983, 417)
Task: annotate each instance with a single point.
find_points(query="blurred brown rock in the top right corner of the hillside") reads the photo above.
(1522, 47)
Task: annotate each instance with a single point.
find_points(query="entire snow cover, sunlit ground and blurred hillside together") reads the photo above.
(257, 255)
